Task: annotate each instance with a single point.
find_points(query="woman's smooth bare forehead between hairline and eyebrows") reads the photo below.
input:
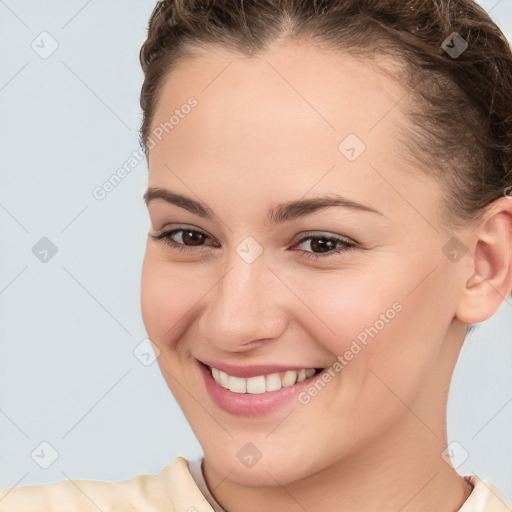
(278, 120)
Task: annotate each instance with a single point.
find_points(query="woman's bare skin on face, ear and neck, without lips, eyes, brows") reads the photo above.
(266, 131)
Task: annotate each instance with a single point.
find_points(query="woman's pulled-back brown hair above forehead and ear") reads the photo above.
(460, 106)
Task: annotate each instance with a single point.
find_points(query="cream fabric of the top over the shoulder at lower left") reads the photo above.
(144, 492)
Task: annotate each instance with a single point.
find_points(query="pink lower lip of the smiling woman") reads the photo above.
(247, 404)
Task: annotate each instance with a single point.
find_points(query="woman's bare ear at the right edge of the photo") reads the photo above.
(489, 276)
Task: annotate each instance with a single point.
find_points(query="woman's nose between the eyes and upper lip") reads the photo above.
(246, 308)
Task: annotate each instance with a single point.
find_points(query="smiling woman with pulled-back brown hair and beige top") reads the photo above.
(329, 195)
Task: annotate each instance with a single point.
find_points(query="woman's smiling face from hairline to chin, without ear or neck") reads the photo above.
(255, 284)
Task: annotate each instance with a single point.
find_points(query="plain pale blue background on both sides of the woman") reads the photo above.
(68, 327)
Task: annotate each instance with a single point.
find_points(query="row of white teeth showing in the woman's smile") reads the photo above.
(261, 383)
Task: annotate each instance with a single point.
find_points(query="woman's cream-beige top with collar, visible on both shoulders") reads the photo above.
(174, 489)
